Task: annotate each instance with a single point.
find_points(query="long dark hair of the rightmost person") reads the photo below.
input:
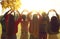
(54, 24)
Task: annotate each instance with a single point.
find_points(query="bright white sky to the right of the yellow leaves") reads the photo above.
(41, 4)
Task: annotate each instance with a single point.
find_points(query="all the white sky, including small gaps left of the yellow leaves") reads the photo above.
(45, 5)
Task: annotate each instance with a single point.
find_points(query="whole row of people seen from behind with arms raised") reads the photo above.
(39, 25)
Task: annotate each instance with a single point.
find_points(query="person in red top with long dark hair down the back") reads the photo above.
(11, 25)
